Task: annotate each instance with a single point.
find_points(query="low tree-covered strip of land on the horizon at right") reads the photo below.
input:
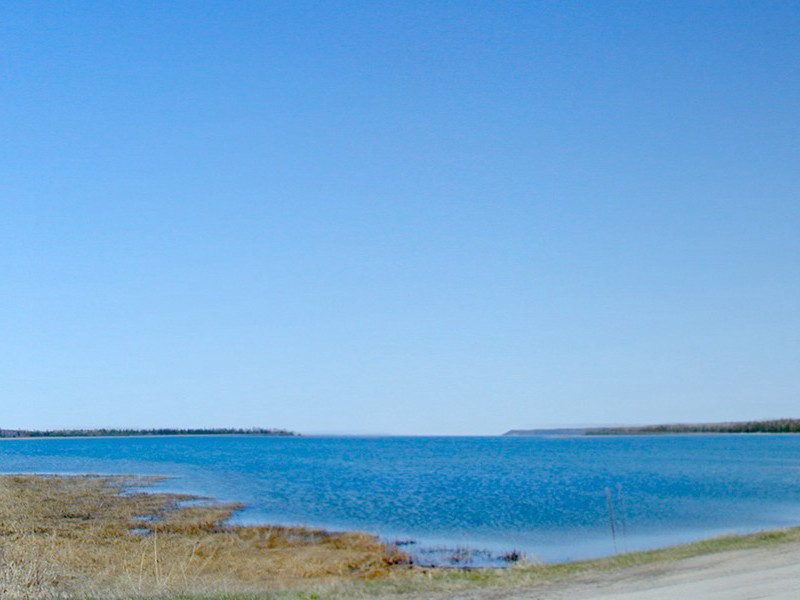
(770, 426)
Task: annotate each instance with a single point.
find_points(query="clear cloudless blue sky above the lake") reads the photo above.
(398, 217)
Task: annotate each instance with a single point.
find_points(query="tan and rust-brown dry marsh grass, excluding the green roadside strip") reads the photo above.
(77, 537)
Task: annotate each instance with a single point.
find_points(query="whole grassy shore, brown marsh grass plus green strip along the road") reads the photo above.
(93, 536)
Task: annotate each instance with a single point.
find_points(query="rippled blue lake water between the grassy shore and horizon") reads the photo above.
(543, 496)
